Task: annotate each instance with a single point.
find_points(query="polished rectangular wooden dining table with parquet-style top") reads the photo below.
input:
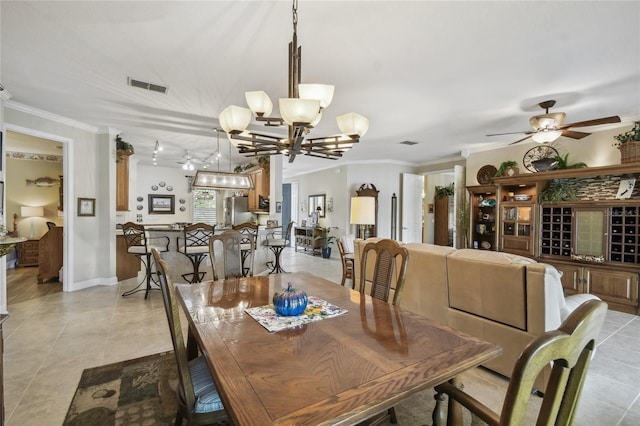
(338, 370)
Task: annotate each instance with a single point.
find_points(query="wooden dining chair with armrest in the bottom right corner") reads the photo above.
(568, 349)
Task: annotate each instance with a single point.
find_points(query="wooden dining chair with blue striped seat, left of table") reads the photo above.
(198, 398)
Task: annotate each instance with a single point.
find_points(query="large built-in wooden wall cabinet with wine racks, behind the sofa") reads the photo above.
(592, 238)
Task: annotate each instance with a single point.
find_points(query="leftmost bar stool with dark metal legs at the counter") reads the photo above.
(140, 244)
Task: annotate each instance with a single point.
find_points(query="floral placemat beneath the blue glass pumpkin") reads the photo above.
(317, 309)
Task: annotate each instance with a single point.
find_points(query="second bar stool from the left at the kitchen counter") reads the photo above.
(194, 243)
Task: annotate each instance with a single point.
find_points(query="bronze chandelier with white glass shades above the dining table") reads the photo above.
(301, 111)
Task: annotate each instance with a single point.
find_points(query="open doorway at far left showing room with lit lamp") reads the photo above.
(34, 171)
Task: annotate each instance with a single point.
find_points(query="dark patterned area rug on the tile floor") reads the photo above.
(135, 392)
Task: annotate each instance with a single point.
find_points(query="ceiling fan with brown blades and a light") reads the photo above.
(548, 127)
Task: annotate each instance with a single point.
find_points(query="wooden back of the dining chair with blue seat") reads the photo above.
(179, 347)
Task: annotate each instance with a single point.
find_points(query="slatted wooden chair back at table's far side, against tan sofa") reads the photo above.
(390, 261)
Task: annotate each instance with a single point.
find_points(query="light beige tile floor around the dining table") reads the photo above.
(50, 340)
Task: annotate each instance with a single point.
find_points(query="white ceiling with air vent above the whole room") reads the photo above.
(443, 74)
